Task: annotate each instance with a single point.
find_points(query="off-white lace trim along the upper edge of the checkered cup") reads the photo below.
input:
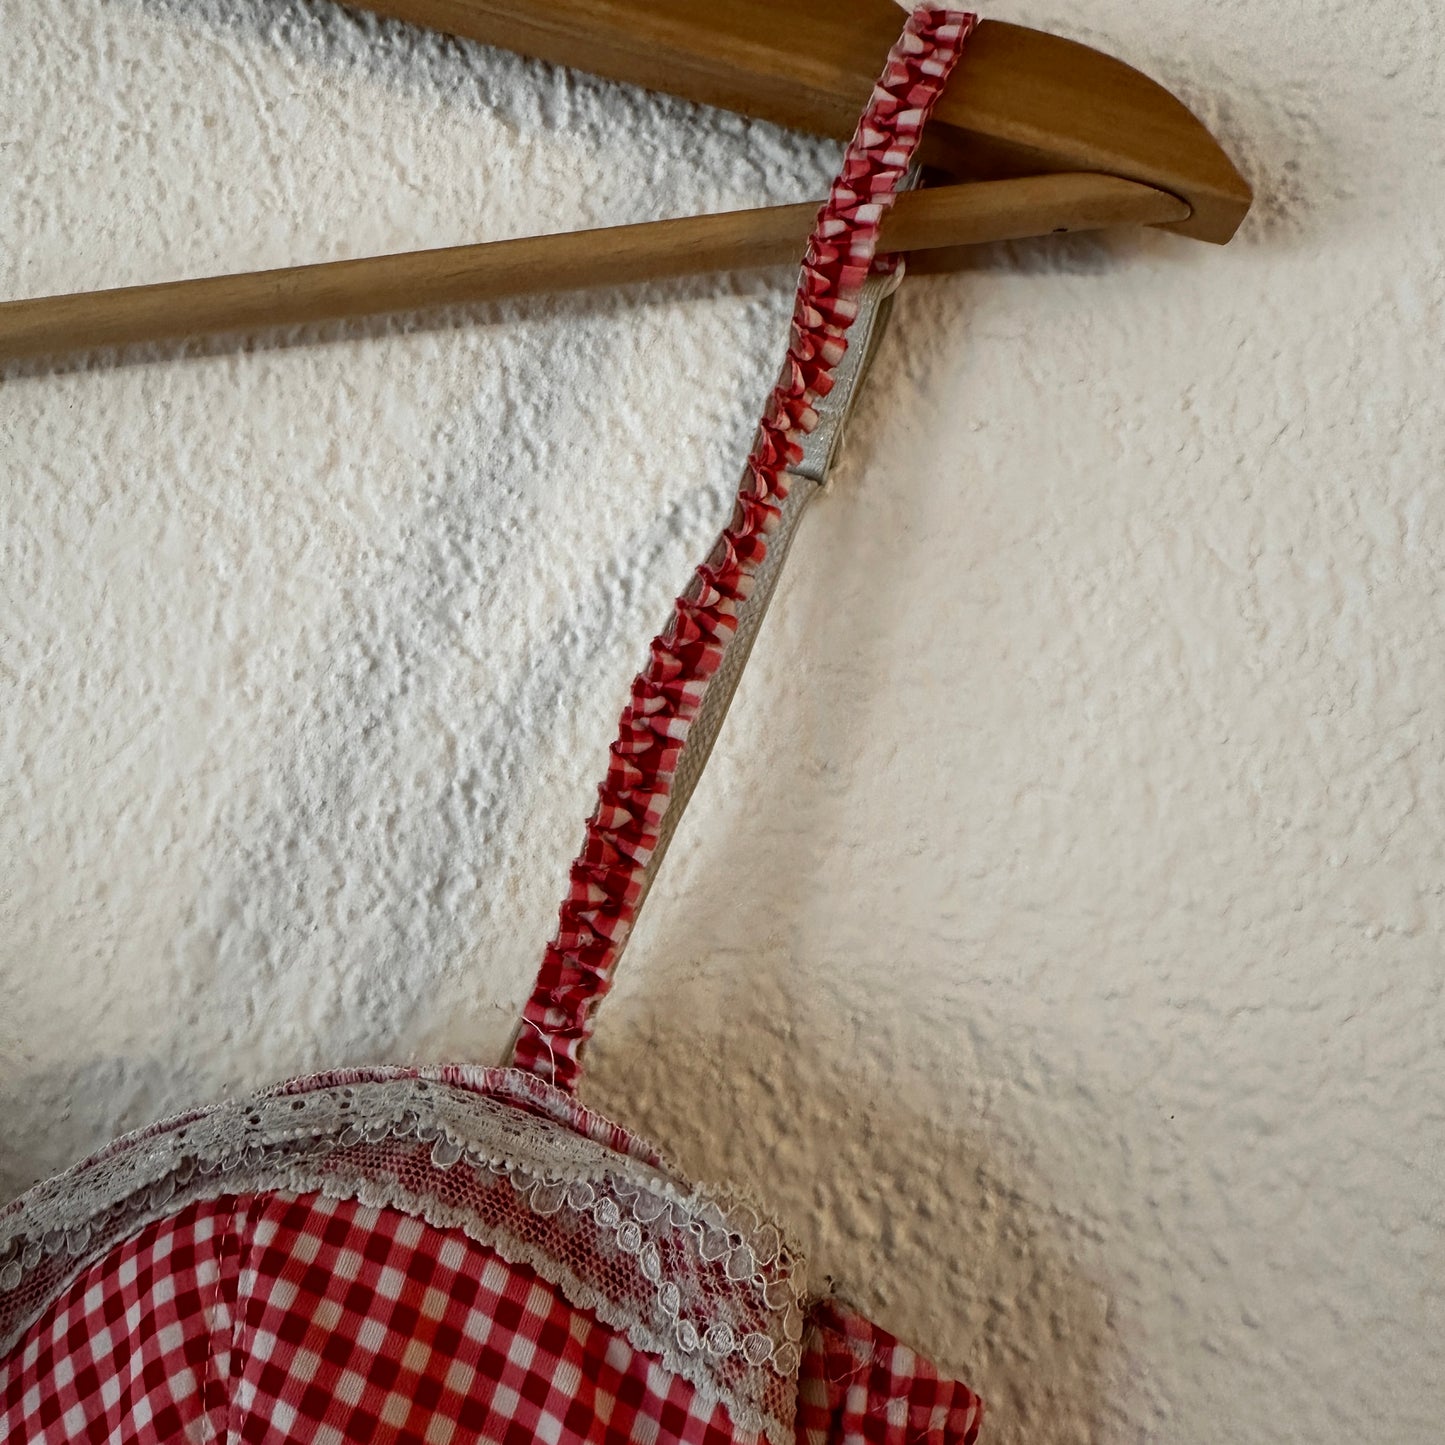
(632, 1213)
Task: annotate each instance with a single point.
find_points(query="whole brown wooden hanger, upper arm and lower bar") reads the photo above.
(1035, 135)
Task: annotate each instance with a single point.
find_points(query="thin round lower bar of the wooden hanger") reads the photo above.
(496, 271)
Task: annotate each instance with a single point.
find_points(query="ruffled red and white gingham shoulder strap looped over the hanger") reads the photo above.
(680, 699)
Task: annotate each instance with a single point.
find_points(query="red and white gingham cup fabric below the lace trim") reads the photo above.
(272, 1319)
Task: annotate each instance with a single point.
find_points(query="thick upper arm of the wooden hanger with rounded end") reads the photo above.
(1021, 103)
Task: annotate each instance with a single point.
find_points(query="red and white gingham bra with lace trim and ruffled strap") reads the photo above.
(469, 1254)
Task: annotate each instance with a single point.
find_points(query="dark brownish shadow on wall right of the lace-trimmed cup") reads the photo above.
(927, 1228)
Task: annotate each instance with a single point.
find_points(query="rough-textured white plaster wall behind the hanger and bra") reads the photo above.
(1057, 937)
